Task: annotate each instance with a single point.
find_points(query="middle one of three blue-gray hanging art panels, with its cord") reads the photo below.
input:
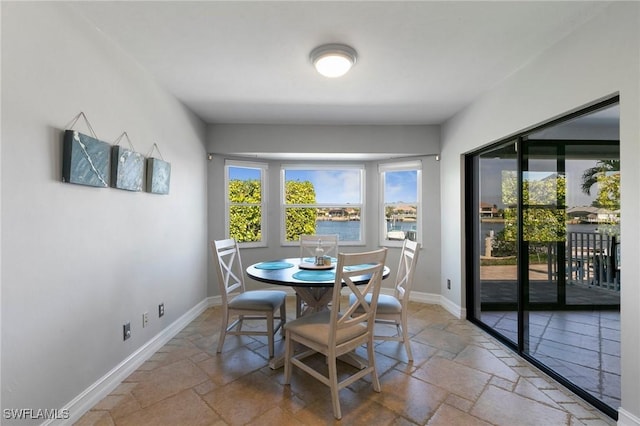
(127, 167)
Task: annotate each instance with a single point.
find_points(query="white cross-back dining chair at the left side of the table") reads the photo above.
(242, 304)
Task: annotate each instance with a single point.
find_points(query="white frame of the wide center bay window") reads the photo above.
(332, 166)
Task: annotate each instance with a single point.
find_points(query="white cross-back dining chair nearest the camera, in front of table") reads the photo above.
(340, 330)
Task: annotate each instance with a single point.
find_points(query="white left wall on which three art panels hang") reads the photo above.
(78, 262)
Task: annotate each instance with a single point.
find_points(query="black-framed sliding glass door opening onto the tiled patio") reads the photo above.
(543, 252)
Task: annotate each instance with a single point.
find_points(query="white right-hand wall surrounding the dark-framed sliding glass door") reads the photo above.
(598, 60)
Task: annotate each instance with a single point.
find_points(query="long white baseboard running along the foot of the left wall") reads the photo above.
(107, 383)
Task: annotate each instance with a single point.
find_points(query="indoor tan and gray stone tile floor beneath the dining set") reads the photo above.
(460, 376)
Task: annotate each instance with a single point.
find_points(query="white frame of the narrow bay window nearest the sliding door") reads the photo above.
(399, 166)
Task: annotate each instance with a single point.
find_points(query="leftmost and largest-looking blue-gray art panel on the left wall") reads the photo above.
(85, 160)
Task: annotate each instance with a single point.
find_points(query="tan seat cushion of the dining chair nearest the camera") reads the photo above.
(315, 327)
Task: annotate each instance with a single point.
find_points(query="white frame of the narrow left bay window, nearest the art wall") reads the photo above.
(264, 204)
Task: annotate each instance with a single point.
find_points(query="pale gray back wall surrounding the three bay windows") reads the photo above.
(420, 141)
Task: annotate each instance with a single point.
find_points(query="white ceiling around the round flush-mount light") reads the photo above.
(419, 62)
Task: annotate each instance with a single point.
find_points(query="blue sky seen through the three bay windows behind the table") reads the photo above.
(343, 186)
